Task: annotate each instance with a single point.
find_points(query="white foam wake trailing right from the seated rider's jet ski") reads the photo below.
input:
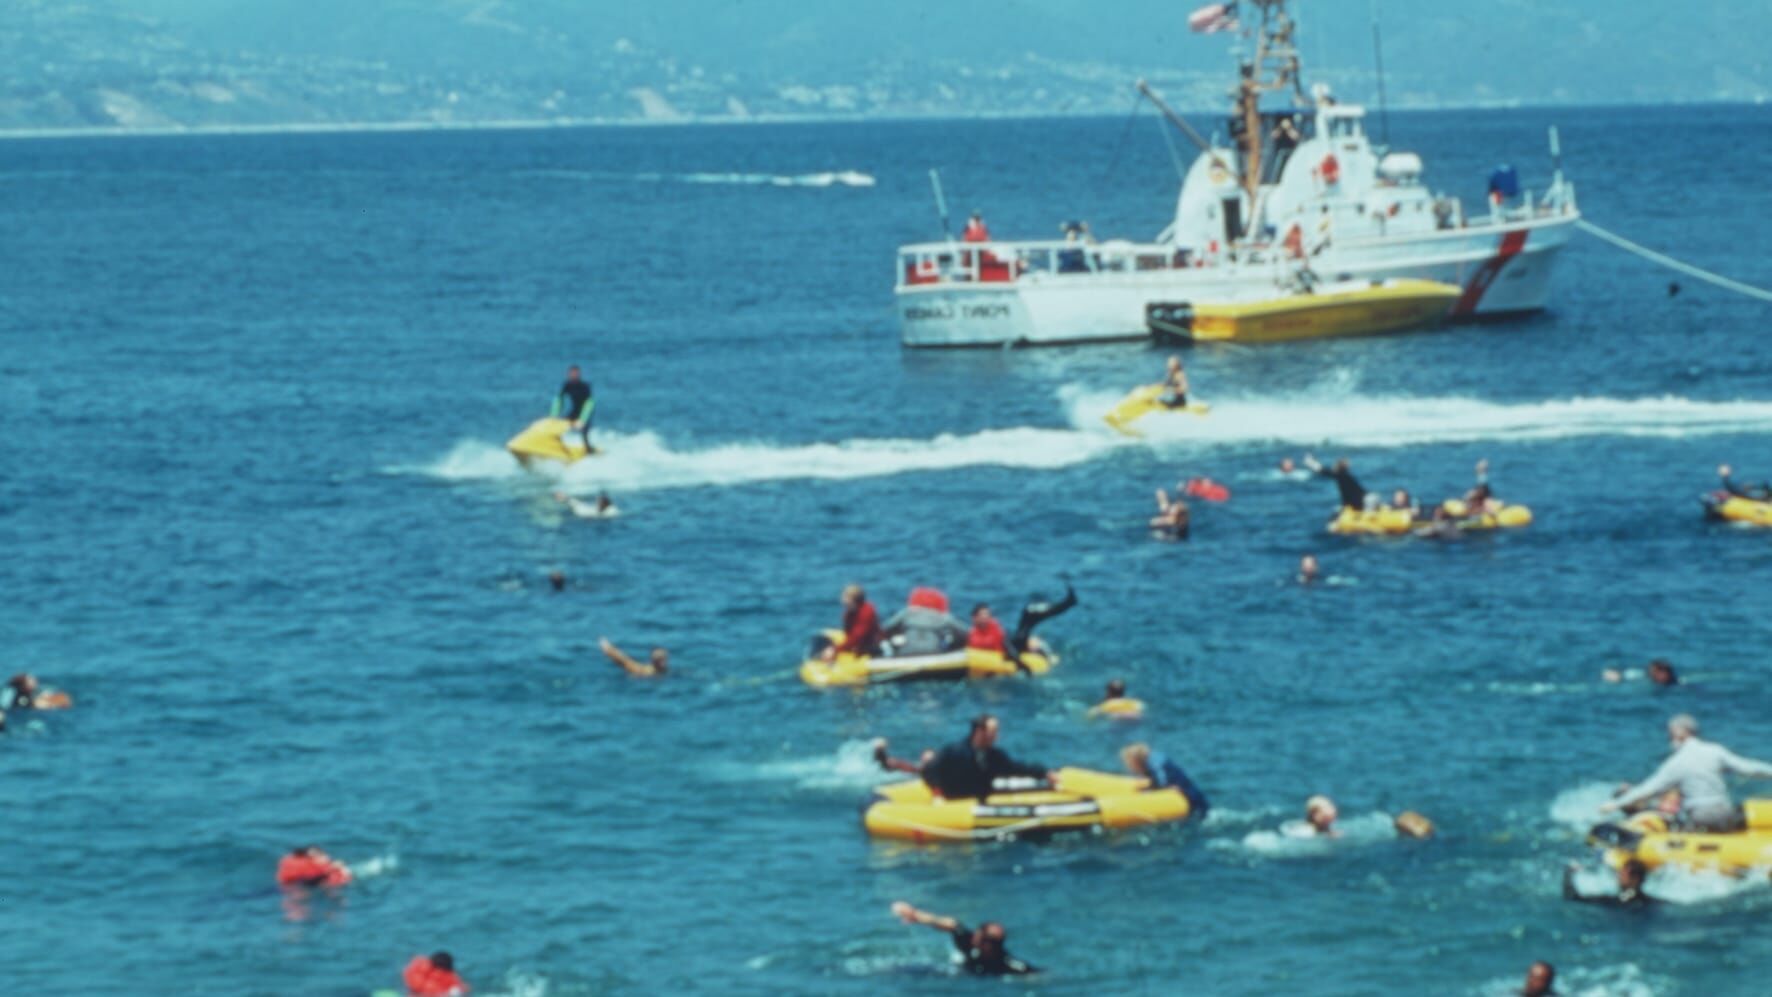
(1401, 421)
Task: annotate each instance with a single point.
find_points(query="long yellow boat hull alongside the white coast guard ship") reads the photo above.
(1387, 307)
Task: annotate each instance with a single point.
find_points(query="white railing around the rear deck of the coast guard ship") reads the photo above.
(1009, 263)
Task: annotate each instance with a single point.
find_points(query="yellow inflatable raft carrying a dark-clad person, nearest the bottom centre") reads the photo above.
(1080, 800)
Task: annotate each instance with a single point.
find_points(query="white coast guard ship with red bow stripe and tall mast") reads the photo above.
(1300, 187)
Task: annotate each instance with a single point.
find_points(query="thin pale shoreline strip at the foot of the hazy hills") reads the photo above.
(719, 121)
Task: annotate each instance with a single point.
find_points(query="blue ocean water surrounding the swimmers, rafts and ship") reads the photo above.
(256, 518)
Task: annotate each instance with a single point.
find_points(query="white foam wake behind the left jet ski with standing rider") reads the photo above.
(644, 461)
